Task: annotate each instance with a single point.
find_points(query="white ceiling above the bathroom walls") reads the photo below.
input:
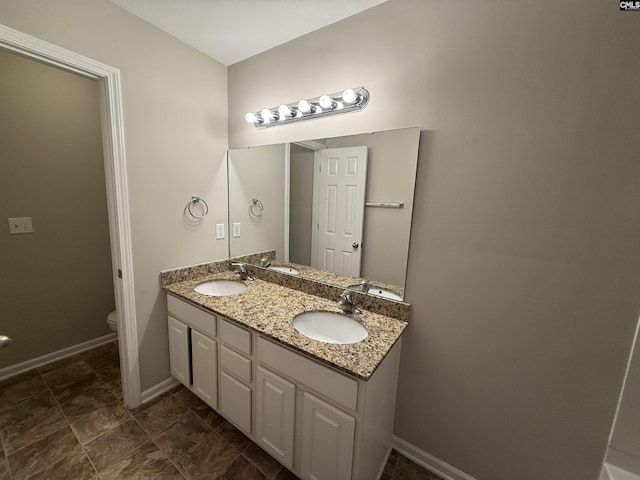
(231, 30)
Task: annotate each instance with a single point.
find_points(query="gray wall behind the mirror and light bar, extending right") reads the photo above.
(524, 269)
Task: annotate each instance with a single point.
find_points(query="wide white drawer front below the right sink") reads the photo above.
(334, 385)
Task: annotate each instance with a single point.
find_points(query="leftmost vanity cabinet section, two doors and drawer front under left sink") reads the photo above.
(193, 349)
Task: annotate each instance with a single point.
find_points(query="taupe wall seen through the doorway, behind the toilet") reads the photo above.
(57, 283)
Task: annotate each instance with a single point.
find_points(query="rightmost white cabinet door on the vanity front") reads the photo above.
(327, 441)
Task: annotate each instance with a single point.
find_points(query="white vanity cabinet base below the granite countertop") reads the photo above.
(320, 423)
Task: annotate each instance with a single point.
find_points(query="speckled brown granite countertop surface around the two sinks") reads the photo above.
(269, 309)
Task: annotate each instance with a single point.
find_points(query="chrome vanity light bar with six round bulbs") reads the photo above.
(349, 100)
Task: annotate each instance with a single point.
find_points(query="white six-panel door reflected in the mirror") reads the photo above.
(339, 209)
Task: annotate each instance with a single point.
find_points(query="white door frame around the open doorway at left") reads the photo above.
(116, 185)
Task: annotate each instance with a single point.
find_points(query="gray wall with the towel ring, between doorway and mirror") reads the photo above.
(175, 120)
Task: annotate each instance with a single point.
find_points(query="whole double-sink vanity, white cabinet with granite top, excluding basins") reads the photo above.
(324, 411)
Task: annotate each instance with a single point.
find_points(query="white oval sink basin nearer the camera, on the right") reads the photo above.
(329, 327)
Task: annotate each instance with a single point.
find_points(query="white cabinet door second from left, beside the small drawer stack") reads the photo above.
(204, 365)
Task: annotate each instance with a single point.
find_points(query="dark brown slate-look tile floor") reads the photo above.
(66, 421)
